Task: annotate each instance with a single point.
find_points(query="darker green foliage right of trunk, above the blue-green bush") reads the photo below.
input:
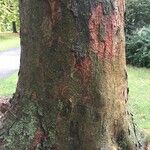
(137, 14)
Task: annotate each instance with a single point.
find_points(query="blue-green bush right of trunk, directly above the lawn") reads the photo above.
(138, 47)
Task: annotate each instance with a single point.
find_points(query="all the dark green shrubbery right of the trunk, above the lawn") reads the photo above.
(138, 32)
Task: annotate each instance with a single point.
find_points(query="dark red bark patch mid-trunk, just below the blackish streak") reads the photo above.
(84, 68)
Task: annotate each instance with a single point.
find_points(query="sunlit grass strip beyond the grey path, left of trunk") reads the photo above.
(9, 40)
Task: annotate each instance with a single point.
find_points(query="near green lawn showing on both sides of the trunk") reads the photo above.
(139, 97)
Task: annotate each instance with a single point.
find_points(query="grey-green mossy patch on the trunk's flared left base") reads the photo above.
(21, 132)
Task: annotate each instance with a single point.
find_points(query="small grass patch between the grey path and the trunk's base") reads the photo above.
(8, 85)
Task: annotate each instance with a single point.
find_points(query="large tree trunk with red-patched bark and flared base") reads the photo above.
(72, 91)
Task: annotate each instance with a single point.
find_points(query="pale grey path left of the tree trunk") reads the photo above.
(9, 62)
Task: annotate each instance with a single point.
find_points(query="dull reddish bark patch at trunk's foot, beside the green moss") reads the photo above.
(38, 137)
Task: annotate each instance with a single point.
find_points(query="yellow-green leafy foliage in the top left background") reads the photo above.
(9, 11)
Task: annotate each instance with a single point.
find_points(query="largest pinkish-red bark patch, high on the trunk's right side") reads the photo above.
(105, 48)
